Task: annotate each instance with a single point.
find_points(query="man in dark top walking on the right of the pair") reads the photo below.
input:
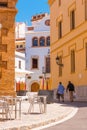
(71, 89)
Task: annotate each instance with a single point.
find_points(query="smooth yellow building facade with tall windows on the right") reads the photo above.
(69, 41)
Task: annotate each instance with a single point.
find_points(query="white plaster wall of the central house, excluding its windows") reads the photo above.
(40, 29)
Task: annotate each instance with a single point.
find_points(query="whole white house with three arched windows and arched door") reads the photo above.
(37, 51)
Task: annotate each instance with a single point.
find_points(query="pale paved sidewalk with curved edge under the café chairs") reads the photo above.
(55, 112)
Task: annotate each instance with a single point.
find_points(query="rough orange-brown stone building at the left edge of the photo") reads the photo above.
(7, 46)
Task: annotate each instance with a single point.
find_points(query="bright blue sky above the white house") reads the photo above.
(28, 8)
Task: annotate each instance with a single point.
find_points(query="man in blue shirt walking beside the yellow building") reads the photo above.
(60, 91)
